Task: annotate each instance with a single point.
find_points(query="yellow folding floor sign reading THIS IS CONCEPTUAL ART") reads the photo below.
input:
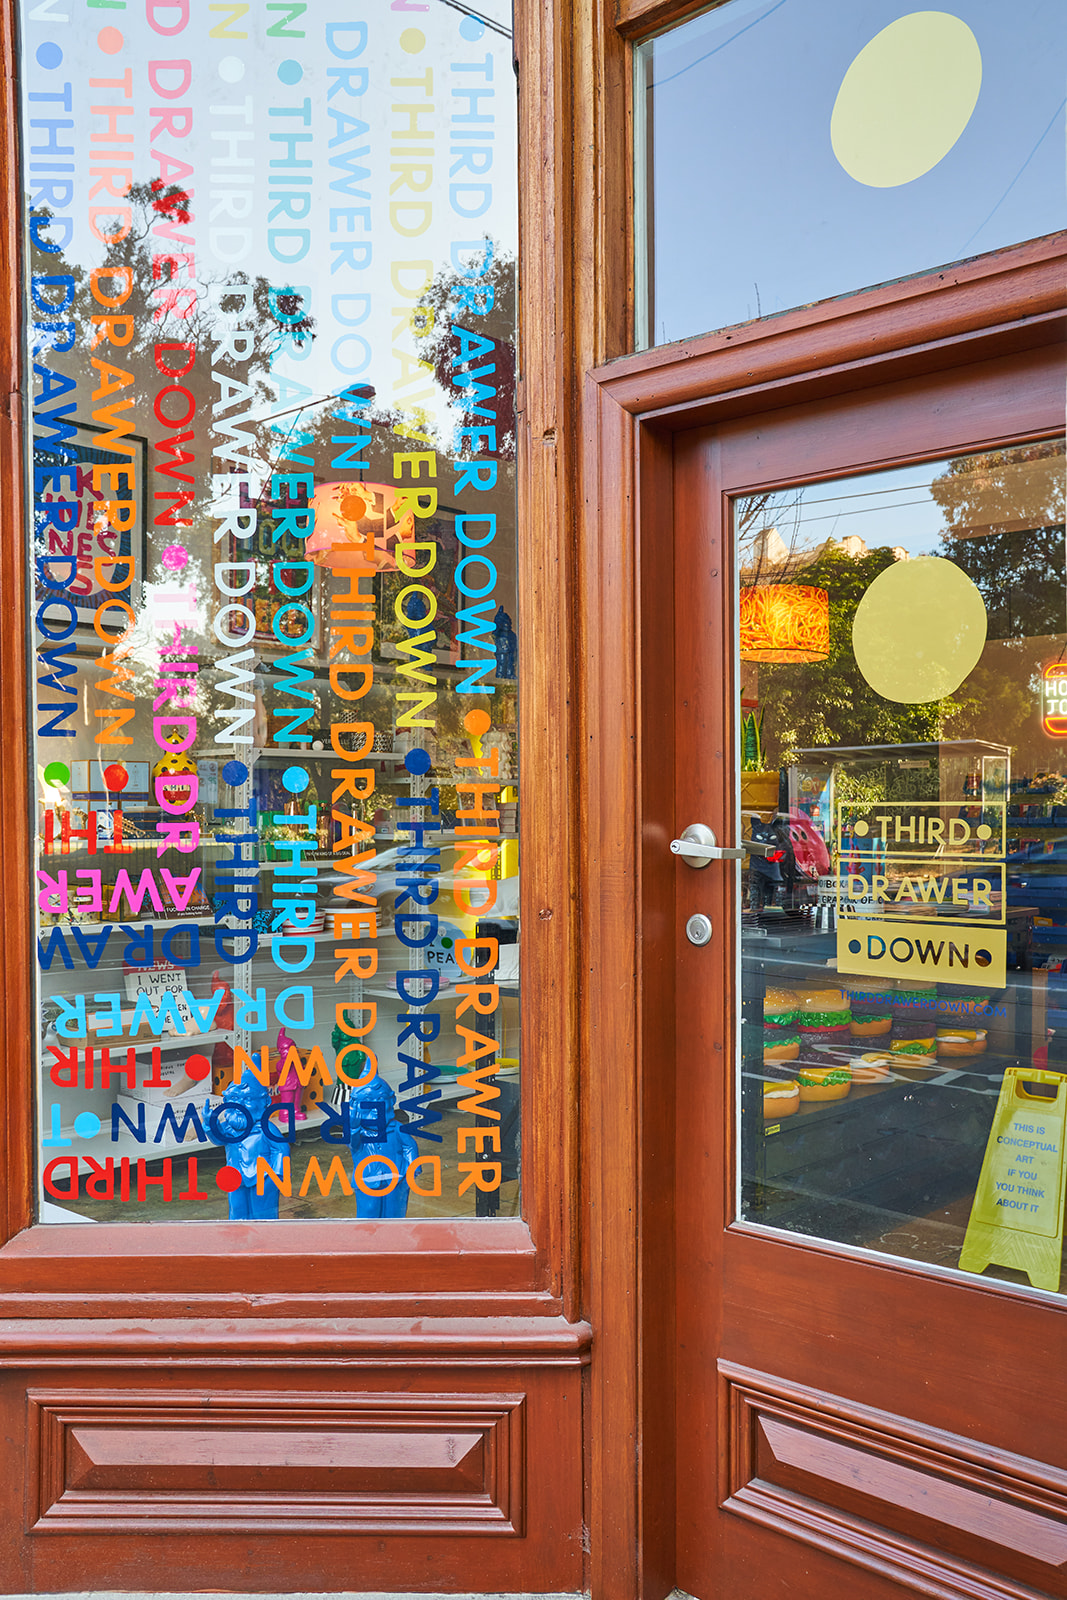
(1018, 1214)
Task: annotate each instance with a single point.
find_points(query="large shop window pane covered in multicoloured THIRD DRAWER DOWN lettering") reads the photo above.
(271, 330)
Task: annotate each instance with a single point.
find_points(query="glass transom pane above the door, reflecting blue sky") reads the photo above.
(799, 150)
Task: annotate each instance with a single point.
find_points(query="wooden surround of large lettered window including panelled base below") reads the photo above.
(430, 1311)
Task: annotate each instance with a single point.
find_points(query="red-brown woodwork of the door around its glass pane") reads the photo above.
(957, 1487)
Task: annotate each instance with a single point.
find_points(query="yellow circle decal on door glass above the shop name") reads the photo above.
(919, 631)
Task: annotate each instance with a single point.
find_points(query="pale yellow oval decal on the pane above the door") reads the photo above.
(906, 100)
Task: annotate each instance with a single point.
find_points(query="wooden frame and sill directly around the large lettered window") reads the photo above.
(482, 1268)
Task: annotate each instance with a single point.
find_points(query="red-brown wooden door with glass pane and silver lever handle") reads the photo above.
(855, 1412)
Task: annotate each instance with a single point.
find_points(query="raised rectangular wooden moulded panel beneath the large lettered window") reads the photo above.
(260, 1462)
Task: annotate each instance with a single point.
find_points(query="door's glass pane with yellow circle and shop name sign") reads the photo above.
(905, 943)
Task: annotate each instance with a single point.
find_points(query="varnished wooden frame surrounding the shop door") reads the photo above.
(633, 407)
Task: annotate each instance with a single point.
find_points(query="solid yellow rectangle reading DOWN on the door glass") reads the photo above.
(930, 951)
